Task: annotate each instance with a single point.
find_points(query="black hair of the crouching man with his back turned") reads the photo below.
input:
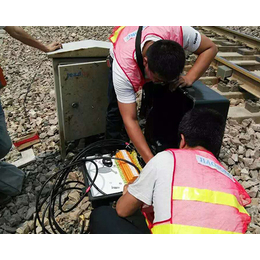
(203, 127)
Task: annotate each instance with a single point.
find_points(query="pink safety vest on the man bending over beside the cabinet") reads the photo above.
(123, 39)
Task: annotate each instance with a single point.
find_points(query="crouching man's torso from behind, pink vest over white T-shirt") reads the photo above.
(192, 193)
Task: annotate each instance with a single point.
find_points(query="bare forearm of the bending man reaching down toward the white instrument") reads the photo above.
(128, 113)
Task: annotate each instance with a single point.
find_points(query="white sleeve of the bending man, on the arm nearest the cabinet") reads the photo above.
(123, 88)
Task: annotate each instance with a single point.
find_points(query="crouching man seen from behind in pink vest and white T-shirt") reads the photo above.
(188, 189)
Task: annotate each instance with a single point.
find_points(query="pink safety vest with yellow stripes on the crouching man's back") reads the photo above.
(206, 199)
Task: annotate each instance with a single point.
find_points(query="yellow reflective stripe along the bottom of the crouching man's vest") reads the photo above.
(184, 229)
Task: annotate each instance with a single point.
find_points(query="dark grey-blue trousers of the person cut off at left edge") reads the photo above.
(11, 178)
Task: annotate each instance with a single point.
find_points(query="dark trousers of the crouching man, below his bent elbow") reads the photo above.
(104, 220)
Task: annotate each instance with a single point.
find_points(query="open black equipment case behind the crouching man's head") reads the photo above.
(163, 111)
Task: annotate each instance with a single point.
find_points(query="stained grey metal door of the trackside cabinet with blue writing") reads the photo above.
(83, 92)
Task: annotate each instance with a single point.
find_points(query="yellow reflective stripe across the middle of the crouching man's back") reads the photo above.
(209, 196)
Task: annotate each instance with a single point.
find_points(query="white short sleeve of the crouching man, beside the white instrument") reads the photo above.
(143, 187)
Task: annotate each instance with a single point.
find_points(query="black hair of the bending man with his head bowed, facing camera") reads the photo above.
(166, 58)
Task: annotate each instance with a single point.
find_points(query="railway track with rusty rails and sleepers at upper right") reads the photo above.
(237, 61)
